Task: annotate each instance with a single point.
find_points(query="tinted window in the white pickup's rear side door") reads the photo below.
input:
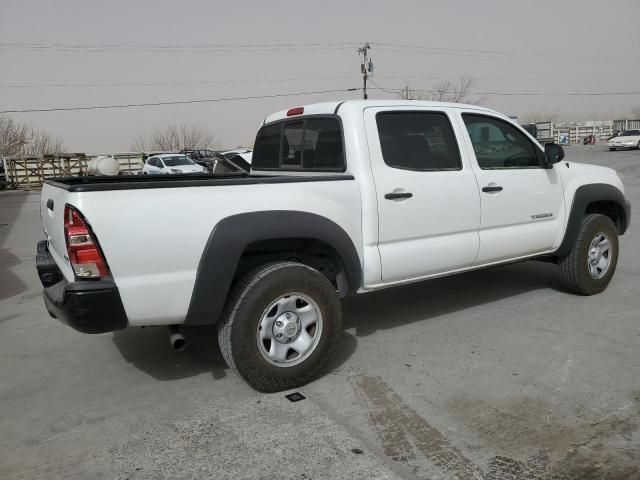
(422, 141)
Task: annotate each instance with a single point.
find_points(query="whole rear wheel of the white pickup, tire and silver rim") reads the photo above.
(280, 326)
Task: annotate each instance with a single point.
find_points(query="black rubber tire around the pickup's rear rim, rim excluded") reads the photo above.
(250, 297)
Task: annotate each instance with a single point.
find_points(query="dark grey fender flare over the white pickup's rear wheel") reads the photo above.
(232, 235)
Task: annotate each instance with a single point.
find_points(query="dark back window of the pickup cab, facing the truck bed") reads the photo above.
(314, 143)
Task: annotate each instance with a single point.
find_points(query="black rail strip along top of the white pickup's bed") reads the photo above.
(137, 182)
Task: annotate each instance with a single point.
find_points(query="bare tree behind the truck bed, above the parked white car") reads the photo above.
(174, 137)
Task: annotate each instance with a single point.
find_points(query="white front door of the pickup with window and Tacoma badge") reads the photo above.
(522, 203)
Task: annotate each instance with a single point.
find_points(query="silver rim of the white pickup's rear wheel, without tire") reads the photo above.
(289, 329)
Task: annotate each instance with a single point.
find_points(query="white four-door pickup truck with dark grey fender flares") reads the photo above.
(343, 197)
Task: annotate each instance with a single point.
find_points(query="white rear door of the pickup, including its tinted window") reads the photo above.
(428, 201)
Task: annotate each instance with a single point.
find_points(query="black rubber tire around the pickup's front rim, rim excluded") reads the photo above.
(574, 269)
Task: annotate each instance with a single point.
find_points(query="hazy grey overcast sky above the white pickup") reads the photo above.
(106, 49)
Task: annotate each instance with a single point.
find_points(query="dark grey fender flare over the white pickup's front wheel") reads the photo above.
(586, 194)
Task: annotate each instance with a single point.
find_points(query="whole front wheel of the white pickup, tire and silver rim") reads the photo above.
(588, 268)
